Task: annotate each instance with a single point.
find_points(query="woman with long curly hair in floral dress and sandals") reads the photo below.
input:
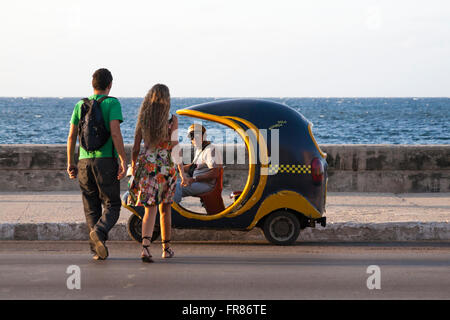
(153, 168)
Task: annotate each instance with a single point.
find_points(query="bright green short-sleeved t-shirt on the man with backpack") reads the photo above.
(111, 110)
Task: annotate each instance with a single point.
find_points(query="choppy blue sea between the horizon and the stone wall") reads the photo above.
(411, 121)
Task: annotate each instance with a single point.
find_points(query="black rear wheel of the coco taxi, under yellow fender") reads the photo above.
(281, 228)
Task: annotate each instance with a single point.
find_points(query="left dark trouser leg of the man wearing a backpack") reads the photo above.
(89, 192)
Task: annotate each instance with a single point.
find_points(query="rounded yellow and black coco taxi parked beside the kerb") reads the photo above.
(287, 177)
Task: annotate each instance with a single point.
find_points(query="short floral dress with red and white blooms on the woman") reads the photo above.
(155, 176)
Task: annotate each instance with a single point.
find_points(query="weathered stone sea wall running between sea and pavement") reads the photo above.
(351, 168)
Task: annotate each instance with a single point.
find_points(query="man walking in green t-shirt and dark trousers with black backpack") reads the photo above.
(98, 170)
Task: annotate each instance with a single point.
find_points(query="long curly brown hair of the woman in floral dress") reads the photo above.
(153, 116)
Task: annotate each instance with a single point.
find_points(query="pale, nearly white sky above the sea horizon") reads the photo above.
(227, 48)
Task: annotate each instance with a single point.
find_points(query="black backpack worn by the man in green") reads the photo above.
(91, 128)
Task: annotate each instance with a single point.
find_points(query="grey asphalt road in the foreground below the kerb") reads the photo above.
(226, 270)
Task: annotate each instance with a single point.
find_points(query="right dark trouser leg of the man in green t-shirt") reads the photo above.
(109, 191)
